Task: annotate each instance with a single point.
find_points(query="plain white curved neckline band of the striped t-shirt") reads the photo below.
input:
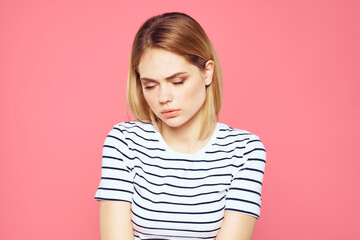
(200, 151)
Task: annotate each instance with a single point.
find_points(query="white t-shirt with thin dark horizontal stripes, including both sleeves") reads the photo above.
(178, 195)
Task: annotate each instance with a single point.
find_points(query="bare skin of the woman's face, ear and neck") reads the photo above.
(173, 85)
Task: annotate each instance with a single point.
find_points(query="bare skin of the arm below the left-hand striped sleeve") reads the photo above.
(115, 220)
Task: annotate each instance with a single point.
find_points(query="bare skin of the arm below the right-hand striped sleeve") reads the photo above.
(236, 226)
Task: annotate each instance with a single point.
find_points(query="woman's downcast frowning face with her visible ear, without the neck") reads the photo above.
(174, 89)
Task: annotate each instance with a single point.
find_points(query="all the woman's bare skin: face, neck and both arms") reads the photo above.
(175, 91)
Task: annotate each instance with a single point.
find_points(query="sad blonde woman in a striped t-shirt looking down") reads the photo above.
(176, 173)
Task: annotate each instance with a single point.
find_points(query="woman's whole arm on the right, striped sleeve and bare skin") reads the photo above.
(243, 200)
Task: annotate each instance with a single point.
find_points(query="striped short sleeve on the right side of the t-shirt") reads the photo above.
(244, 194)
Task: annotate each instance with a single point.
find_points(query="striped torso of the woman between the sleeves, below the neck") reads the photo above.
(181, 196)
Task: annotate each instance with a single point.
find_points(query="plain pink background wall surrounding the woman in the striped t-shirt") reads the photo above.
(291, 72)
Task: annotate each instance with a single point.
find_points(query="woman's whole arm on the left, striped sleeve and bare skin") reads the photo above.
(115, 189)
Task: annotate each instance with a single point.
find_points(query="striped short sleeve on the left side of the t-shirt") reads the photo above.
(116, 174)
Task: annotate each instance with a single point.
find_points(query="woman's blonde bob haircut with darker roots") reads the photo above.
(180, 34)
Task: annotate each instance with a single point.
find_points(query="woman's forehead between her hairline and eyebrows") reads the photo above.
(159, 63)
